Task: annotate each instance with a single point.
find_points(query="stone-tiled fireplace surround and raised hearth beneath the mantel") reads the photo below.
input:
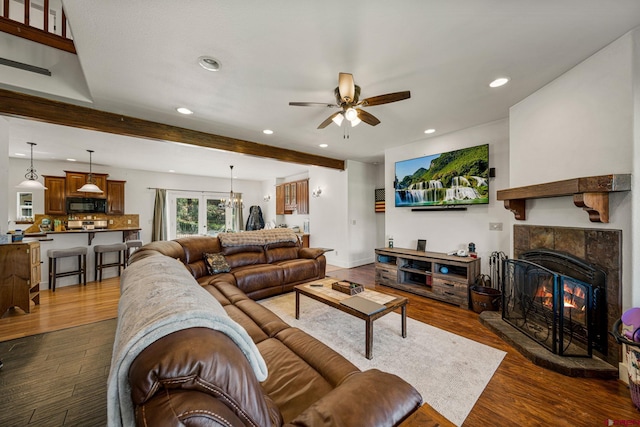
(601, 249)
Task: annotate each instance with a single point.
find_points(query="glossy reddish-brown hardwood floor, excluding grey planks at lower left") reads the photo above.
(519, 394)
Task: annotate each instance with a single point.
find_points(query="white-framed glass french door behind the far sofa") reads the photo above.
(192, 213)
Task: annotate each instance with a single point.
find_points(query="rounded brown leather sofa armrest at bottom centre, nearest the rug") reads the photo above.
(371, 398)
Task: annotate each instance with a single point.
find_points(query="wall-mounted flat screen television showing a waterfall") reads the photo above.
(459, 177)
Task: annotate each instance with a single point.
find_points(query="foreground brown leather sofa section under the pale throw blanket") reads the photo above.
(199, 376)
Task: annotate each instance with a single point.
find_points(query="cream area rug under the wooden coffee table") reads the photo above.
(448, 370)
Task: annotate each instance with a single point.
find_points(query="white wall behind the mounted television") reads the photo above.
(451, 230)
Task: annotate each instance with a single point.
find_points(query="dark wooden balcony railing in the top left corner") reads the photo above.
(42, 21)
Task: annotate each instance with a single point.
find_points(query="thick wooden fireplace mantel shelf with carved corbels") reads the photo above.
(590, 193)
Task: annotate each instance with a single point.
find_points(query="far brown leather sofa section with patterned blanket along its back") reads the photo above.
(271, 262)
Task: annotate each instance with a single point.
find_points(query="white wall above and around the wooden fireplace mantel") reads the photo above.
(582, 124)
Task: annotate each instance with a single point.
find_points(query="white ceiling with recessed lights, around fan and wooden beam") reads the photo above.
(140, 59)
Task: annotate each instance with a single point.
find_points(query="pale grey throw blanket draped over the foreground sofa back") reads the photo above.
(158, 297)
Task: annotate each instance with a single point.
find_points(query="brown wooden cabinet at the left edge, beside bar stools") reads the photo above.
(19, 275)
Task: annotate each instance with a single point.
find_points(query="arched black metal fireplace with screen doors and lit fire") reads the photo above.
(558, 300)
